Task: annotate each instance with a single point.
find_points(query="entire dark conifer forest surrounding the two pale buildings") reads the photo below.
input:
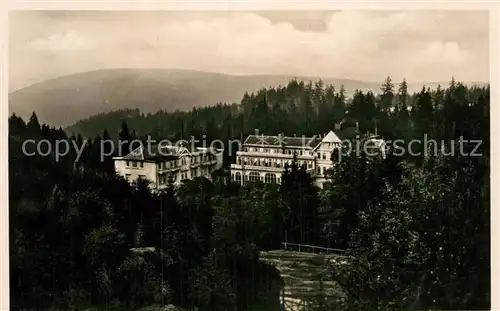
(416, 226)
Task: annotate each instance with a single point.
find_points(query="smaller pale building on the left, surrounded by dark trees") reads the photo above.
(162, 165)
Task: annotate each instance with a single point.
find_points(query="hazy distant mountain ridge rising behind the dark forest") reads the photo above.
(64, 100)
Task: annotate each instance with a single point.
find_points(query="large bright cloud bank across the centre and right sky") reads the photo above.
(352, 39)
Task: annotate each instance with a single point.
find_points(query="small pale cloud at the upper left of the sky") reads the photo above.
(66, 41)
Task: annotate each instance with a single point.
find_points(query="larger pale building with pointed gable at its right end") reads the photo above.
(263, 158)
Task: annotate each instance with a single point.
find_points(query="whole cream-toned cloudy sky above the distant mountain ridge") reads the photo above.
(421, 46)
